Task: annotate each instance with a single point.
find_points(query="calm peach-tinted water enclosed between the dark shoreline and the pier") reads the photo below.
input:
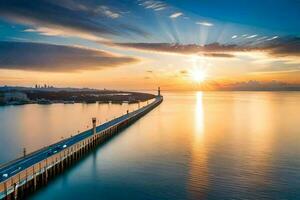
(35, 126)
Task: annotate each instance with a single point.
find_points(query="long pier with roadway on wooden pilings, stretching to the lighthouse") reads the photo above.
(25, 175)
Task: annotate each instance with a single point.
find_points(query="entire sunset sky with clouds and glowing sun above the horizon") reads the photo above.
(142, 44)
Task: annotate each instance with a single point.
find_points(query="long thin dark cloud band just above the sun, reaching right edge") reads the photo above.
(289, 46)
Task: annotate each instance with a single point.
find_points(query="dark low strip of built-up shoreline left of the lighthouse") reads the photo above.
(46, 96)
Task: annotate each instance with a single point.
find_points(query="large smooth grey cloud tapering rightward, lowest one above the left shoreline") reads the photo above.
(56, 58)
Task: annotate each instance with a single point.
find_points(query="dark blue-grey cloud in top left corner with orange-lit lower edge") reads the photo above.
(70, 17)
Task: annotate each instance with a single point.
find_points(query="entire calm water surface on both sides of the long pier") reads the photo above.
(211, 145)
